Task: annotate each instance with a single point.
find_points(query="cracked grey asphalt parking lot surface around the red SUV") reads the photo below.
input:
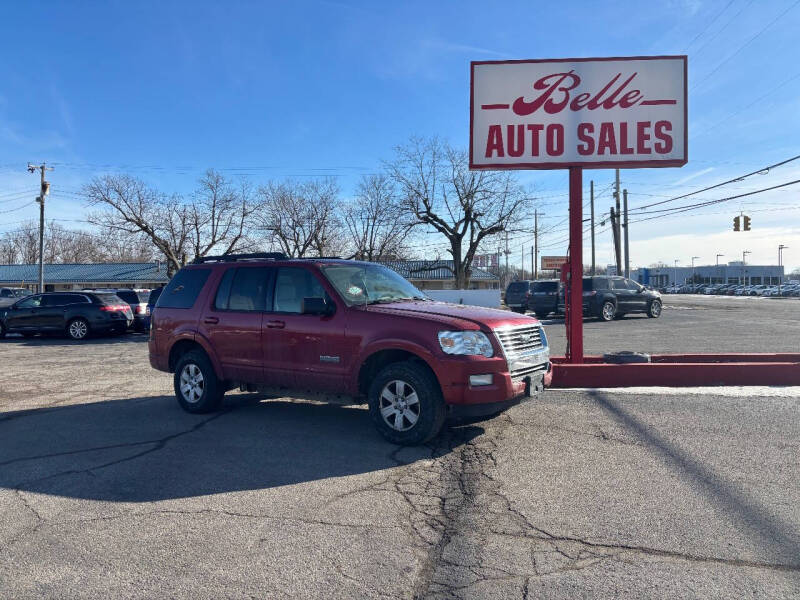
(108, 489)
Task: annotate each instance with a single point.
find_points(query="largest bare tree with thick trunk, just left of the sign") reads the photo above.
(438, 190)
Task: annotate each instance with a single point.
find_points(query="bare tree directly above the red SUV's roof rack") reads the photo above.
(301, 217)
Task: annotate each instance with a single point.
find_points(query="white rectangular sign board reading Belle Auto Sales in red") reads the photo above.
(586, 112)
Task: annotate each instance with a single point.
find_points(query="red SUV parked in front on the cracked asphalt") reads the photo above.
(341, 329)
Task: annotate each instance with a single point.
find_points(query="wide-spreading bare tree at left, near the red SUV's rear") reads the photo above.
(215, 220)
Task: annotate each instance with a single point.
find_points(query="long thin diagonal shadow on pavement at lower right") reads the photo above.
(778, 537)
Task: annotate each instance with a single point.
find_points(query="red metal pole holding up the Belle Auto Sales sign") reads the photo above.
(574, 307)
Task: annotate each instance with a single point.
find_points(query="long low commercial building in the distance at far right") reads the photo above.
(732, 272)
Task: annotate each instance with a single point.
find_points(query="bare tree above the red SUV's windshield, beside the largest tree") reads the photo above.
(376, 224)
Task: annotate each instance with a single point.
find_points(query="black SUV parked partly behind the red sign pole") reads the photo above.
(613, 297)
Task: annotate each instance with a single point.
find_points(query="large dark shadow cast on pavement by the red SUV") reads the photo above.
(148, 449)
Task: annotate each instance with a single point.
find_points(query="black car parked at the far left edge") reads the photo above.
(76, 314)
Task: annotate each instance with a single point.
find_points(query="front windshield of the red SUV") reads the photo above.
(370, 284)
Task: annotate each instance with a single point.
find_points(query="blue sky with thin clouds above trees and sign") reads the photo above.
(164, 90)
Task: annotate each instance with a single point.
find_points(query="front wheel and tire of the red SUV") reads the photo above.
(414, 389)
